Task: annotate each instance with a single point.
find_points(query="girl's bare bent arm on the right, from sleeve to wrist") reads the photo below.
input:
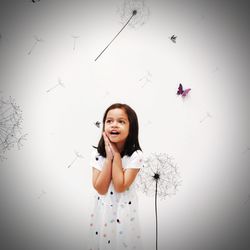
(122, 179)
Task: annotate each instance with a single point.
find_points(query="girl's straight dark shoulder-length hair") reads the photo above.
(132, 142)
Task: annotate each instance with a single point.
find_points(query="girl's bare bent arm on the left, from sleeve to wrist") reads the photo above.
(101, 179)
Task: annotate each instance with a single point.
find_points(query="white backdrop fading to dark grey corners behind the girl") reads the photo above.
(44, 204)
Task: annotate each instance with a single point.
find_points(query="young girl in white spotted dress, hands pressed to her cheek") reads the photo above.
(115, 163)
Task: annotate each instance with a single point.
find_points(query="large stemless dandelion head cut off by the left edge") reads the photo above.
(10, 125)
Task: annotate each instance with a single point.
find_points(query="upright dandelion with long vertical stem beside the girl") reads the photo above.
(159, 177)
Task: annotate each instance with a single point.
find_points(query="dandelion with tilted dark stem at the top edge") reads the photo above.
(133, 14)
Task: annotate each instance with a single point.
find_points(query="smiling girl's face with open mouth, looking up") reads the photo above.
(117, 126)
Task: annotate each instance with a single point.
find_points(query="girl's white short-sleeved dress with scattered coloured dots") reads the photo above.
(114, 223)
